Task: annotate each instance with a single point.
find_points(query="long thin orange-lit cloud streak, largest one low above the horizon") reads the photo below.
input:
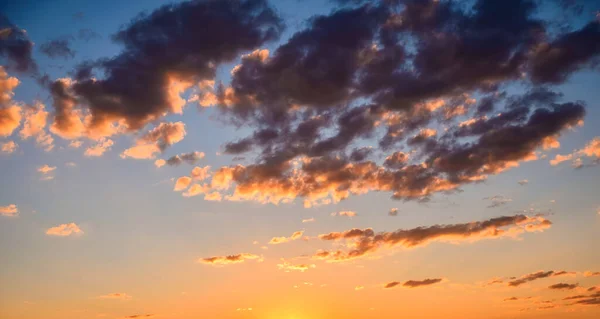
(366, 241)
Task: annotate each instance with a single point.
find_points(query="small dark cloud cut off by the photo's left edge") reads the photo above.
(15, 47)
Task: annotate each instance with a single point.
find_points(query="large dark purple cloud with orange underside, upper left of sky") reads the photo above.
(166, 52)
